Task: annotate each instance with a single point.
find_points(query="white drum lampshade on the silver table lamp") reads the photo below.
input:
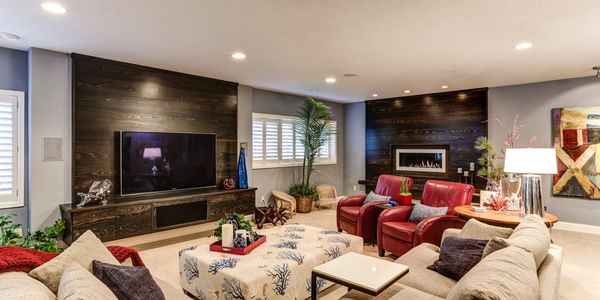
(530, 161)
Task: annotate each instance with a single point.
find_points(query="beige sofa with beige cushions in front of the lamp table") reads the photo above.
(525, 266)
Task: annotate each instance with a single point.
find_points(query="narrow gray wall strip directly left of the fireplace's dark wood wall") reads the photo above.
(354, 147)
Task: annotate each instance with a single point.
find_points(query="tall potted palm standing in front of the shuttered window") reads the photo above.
(312, 128)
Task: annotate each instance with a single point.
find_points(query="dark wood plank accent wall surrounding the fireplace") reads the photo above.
(452, 118)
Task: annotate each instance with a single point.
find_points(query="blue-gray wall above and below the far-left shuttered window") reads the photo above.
(13, 76)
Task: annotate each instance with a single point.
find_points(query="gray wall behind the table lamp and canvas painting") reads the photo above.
(533, 102)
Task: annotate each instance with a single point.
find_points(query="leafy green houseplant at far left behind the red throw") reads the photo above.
(44, 240)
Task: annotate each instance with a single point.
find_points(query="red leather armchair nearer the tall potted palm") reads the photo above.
(358, 219)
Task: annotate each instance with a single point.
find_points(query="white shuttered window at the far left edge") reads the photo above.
(12, 175)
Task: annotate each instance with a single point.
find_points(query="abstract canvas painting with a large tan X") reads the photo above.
(576, 137)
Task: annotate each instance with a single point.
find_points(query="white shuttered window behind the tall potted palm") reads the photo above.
(275, 144)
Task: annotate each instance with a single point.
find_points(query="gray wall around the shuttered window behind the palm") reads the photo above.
(267, 180)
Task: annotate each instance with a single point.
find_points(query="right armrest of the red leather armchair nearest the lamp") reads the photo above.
(431, 229)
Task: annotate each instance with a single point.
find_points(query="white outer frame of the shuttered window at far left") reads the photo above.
(16, 199)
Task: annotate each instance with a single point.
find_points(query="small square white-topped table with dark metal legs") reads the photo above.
(360, 272)
